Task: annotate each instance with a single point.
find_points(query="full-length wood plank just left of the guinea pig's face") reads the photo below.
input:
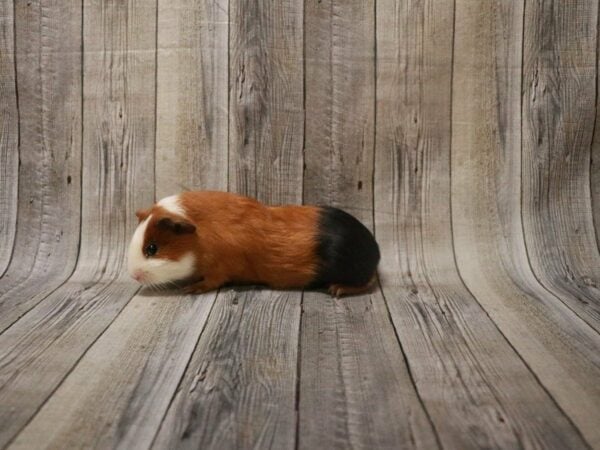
(40, 350)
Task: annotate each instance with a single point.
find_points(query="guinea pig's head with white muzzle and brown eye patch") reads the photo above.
(160, 250)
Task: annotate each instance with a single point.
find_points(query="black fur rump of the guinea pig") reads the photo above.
(347, 251)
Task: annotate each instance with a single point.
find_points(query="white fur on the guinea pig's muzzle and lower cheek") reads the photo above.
(155, 269)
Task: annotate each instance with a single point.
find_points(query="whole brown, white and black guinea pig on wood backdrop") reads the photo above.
(203, 240)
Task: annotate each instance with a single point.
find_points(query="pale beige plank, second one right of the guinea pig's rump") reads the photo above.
(486, 186)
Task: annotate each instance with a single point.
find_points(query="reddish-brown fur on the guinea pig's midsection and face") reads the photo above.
(240, 240)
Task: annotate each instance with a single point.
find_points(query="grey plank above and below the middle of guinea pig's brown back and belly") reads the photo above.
(239, 390)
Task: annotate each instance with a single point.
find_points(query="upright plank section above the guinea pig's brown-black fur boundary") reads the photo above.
(340, 86)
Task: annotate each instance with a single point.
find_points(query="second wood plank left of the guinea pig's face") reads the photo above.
(49, 80)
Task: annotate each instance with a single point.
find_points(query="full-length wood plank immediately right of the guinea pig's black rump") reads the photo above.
(459, 363)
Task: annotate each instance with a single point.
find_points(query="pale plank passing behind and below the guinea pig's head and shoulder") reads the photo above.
(119, 392)
